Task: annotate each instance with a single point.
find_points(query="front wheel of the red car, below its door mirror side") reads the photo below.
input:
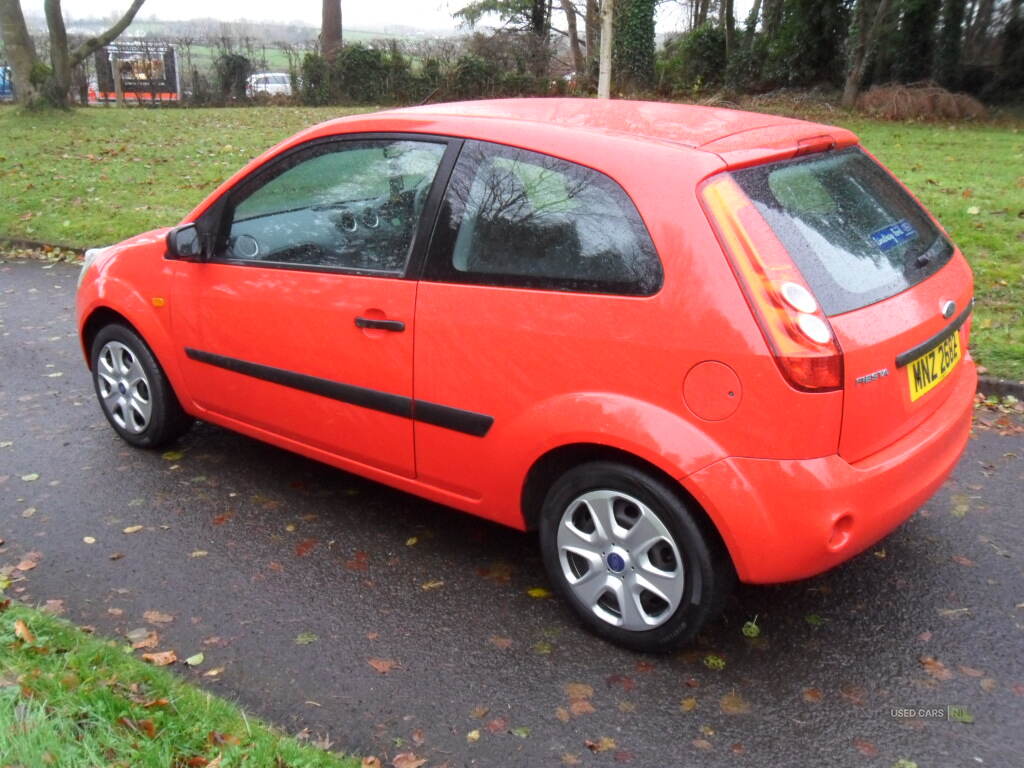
(134, 392)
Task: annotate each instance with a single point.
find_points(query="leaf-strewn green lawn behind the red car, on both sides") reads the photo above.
(99, 176)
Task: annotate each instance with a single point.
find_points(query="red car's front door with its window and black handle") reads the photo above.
(302, 325)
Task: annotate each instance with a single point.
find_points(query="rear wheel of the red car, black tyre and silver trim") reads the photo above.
(651, 580)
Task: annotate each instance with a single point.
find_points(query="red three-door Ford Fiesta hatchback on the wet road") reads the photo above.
(687, 345)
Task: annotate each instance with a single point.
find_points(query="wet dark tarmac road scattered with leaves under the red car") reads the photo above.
(293, 577)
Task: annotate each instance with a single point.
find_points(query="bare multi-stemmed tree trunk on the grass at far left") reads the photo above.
(56, 87)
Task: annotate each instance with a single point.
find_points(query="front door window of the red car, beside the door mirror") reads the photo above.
(350, 205)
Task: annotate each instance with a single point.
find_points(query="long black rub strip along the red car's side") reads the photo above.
(430, 413)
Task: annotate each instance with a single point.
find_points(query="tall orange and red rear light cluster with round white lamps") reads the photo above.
(796, 329)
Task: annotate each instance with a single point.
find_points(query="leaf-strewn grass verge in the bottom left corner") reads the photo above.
(74, 701)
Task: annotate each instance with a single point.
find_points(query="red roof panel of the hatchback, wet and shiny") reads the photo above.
(690, 125)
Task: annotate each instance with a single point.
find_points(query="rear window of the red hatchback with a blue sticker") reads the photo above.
(857, 236)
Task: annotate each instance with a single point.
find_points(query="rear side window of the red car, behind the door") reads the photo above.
(514, 218)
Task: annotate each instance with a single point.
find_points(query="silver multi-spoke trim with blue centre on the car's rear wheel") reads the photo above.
(649, 589)
